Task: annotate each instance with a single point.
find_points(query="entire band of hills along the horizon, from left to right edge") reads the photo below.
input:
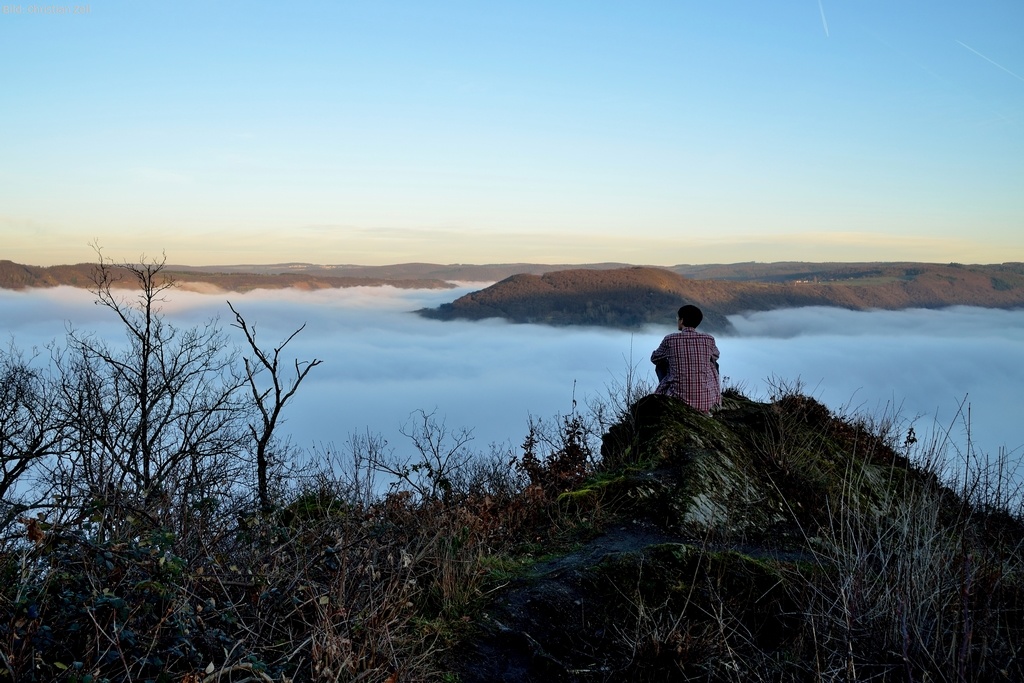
(610, 294)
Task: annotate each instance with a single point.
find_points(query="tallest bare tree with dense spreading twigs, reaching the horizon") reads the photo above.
(157, 419)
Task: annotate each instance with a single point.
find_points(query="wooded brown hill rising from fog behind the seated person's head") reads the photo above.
(634, 296)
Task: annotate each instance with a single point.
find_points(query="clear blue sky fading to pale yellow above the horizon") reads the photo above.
(561, 133)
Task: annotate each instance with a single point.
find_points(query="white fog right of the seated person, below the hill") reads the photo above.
(927, 364)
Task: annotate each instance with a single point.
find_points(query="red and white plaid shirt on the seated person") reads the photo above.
(693, 365)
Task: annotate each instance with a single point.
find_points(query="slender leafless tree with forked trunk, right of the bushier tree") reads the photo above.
(270, 402)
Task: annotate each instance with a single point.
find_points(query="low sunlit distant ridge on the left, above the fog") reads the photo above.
(17, 277)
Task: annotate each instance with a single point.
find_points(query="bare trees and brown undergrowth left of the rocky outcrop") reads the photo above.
(153, 527)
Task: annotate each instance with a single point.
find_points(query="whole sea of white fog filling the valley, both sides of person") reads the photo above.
(949, 373)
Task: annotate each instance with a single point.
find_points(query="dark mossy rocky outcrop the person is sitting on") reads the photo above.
(757, 544)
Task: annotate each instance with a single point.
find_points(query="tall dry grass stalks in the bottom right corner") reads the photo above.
(919, 585)
